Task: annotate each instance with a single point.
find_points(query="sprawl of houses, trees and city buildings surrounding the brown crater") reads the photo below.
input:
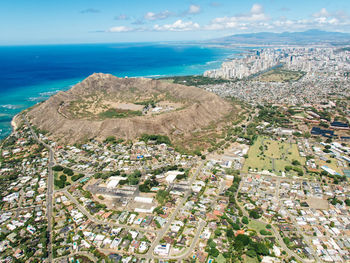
(272, 186)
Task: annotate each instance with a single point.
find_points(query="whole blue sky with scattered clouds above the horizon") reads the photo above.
(90, 21)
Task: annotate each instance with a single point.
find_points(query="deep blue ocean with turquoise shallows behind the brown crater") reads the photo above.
(30, 74)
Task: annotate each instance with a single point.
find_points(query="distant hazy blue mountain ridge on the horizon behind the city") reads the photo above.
(312, 36)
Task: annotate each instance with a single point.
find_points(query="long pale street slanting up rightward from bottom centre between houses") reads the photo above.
(161, 233)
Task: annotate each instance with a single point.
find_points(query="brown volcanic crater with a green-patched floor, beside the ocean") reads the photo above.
(104, 105)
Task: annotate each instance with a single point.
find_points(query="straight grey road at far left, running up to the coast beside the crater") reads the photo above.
(50, 180)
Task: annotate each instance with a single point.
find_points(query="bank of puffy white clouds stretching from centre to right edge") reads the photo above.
(254, 20)
